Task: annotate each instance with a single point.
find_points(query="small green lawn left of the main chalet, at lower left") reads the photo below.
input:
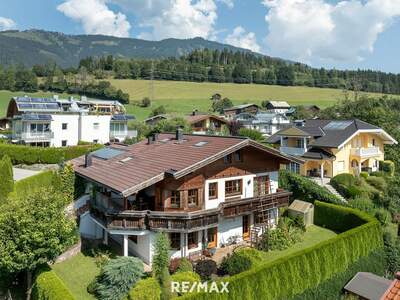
(77, 272)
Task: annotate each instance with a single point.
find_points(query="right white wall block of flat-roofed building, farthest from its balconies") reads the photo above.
(91, 132)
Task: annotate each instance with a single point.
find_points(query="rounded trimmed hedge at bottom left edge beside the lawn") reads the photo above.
(48, 286)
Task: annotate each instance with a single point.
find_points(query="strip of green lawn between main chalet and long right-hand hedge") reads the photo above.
(312, 236)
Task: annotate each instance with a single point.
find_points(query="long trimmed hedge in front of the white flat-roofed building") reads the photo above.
(21, 154)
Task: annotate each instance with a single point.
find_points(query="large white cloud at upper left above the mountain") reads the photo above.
(96, 17)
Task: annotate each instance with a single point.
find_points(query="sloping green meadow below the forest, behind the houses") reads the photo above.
(180, 97)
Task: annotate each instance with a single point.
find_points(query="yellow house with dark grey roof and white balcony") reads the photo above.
(331, 147)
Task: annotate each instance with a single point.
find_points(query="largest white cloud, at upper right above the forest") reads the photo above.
(318, 31)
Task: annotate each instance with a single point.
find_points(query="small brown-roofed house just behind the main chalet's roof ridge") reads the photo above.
(205, 123)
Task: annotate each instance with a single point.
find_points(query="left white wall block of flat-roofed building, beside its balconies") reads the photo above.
(70, 135)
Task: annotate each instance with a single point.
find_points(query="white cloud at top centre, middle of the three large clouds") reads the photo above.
(173, 18)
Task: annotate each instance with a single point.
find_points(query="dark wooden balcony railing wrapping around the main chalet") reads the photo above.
(185, 221)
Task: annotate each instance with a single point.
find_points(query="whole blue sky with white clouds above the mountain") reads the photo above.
(346, 34)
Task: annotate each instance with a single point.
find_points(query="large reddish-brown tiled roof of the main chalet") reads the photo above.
(142, 164)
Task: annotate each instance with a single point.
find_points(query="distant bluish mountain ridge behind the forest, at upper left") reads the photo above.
(34, 46)
